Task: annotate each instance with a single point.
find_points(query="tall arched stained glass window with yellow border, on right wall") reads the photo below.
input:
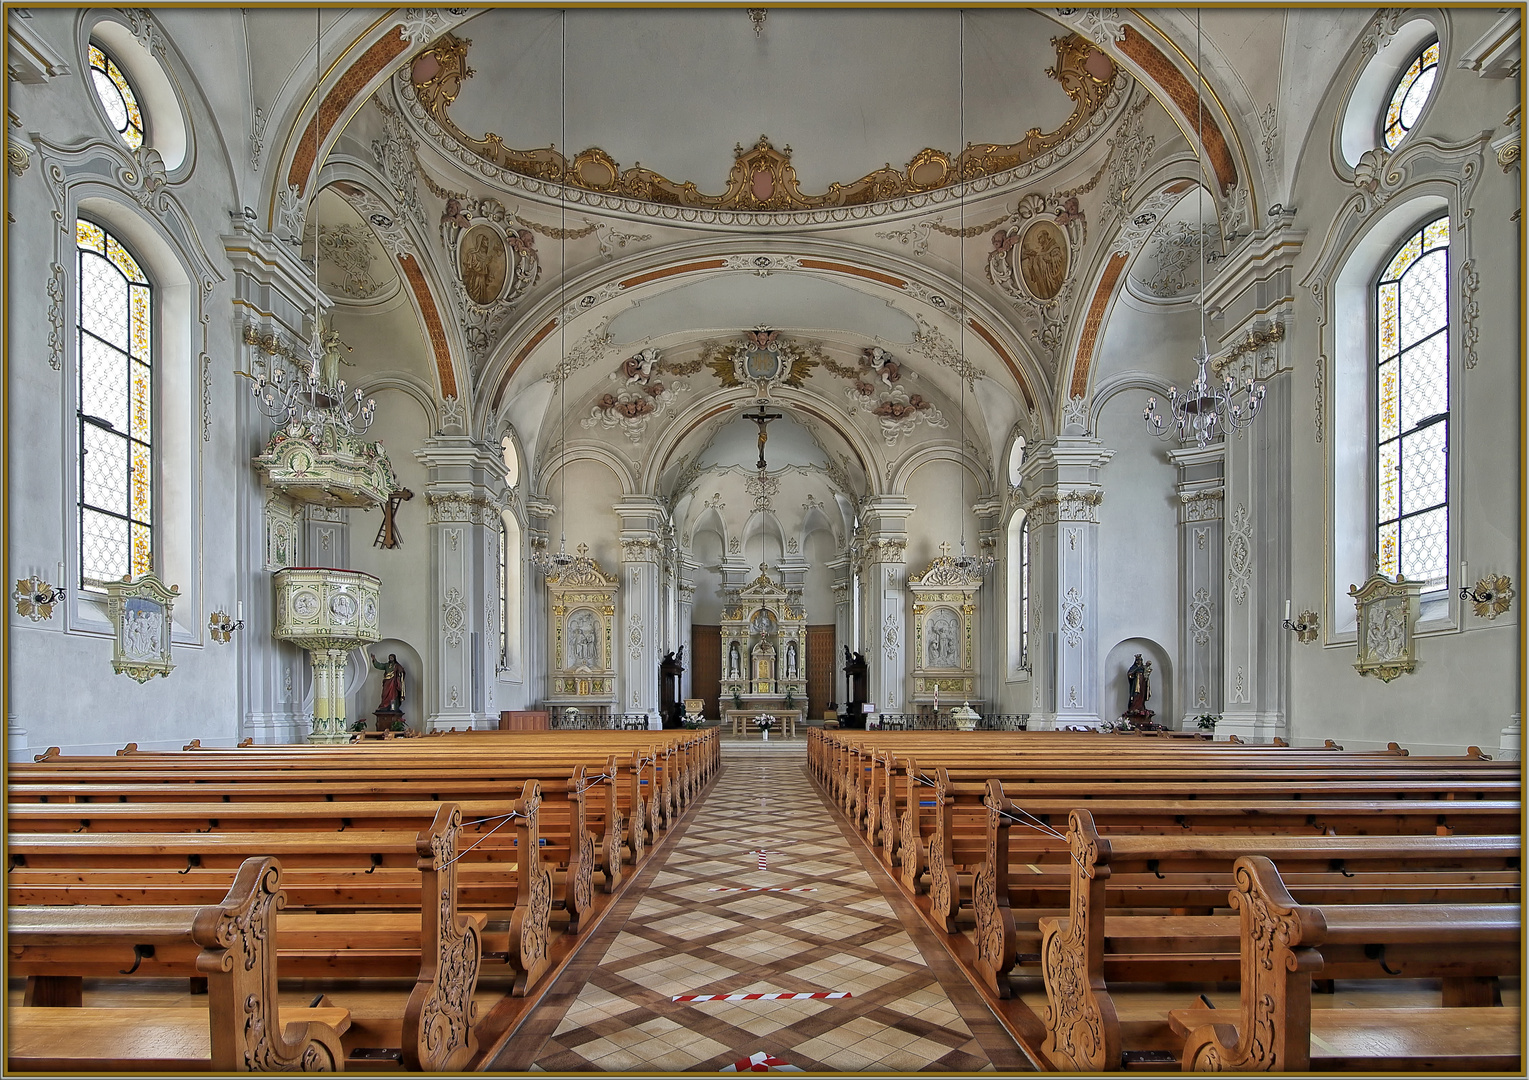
(1412, 409)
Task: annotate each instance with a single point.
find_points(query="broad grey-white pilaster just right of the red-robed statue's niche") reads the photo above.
(463, 495)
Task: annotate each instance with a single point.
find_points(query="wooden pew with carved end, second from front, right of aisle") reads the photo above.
(1082, 1026)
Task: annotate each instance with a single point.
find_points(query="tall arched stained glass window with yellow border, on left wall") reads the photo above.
(117, 409)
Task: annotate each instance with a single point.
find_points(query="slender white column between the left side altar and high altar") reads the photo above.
(641, 608)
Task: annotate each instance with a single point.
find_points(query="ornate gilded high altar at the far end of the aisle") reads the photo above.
(765, 649)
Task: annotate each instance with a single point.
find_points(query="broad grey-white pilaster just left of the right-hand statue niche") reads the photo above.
(1065, 571)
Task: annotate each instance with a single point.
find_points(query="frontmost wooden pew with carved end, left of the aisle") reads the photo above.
(239, 1032)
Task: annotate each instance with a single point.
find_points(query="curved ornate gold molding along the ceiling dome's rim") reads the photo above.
(764, 178)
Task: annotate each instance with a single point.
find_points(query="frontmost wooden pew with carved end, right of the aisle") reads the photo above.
(1284, 946)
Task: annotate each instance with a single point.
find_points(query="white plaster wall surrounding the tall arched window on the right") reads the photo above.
(1469, 680)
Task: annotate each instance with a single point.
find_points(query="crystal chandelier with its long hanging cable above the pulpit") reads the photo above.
(314, 402)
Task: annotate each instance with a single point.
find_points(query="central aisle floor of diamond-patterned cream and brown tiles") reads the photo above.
(826, 928)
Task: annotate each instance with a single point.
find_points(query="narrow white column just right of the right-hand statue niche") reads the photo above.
(1203, 590)
